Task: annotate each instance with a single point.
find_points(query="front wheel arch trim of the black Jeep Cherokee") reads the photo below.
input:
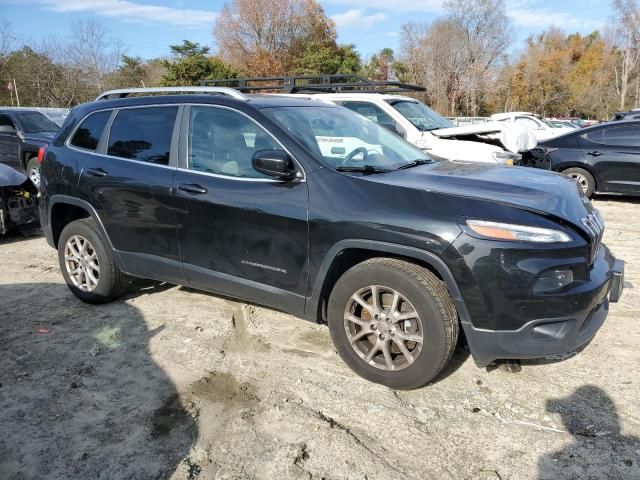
(348, 253)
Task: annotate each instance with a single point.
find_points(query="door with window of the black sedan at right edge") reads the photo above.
(614, 152)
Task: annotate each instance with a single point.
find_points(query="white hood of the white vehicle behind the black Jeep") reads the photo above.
(513, 137)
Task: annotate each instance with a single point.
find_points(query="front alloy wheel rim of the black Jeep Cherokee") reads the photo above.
(383, 328)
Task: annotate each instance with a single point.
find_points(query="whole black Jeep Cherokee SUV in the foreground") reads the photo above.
(314, 210)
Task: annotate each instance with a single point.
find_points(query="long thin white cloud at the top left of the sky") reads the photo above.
(134, 12)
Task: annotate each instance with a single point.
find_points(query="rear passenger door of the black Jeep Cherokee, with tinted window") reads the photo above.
(127, 178)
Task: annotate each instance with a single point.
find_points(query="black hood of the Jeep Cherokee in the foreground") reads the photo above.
(536, 190)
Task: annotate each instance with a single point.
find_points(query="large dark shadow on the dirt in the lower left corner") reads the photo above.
(80, 394)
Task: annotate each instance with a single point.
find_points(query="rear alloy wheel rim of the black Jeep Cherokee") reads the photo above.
(81, 262)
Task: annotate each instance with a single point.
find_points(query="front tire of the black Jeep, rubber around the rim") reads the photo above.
(430, 299)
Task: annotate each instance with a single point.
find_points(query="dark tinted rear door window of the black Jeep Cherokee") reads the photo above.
(143, 134)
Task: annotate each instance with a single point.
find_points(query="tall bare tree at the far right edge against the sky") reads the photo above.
(626, 31)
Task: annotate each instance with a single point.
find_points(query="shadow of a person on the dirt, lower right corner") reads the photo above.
(598, 449)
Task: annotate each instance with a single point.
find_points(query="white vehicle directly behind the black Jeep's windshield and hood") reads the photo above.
(492, 142)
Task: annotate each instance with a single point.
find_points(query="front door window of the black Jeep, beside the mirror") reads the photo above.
(224, 142)
